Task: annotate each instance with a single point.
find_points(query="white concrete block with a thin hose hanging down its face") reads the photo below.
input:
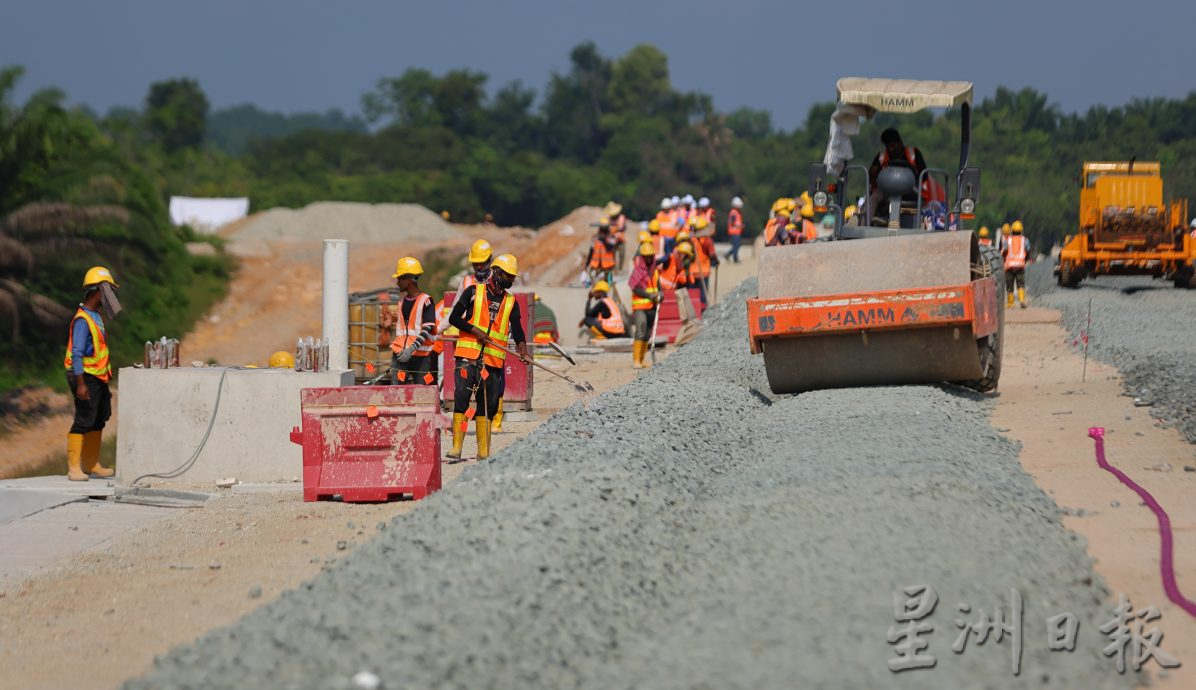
(163, 416)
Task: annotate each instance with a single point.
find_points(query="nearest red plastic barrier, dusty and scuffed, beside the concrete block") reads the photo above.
(370, 443)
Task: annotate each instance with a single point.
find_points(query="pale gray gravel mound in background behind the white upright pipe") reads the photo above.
(358, 223)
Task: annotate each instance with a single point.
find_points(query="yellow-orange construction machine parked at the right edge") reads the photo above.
(1127, 229)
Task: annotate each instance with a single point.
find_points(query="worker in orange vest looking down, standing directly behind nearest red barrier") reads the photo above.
(416, 327)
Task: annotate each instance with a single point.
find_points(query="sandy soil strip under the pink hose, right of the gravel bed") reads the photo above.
(1046, 407)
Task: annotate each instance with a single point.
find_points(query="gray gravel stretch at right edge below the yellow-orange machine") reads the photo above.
(1144, 327)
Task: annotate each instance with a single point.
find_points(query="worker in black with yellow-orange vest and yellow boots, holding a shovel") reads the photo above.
(490, 321)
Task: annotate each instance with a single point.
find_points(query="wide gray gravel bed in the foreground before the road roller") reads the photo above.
(692, 530)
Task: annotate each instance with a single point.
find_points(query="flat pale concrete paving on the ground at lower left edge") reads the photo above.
(45, 539)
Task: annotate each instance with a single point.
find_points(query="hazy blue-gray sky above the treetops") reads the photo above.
(782, 57)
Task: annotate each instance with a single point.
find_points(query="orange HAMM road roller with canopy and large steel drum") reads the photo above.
(902, 292)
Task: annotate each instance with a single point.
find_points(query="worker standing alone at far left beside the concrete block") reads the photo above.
(88, 371)
